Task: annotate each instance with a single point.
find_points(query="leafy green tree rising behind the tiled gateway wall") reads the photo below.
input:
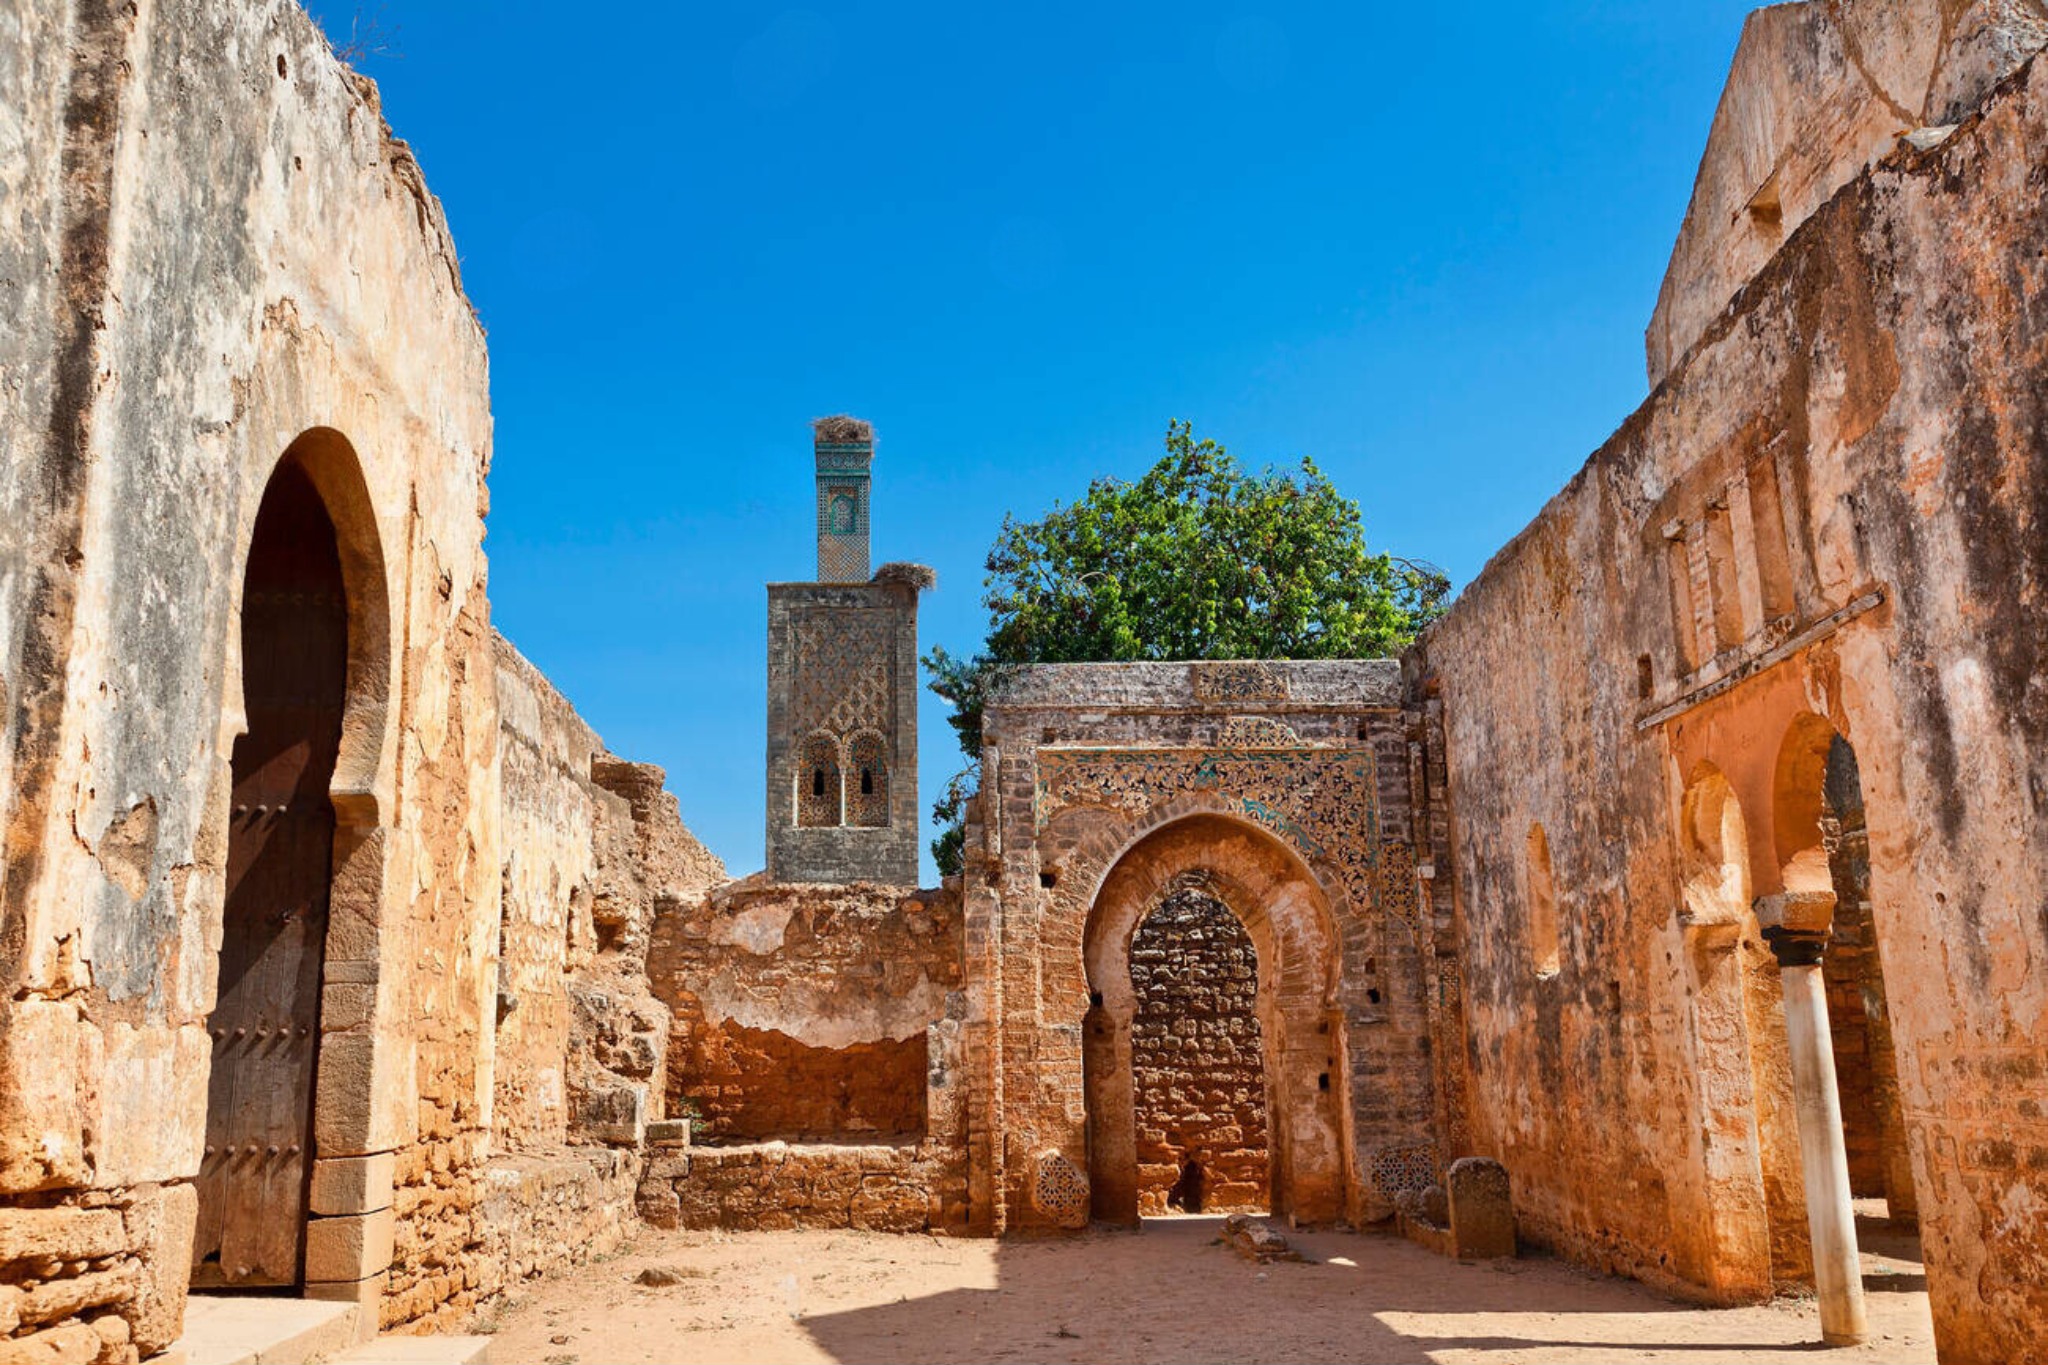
(1197, 560)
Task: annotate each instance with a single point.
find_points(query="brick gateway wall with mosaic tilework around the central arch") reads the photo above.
(1345, 777)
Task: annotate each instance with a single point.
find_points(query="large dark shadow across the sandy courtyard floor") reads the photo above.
(1170, 1292)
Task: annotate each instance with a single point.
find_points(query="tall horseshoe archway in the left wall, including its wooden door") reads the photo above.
(302, 807)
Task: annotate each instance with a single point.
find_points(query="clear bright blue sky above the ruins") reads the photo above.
(1416, 243)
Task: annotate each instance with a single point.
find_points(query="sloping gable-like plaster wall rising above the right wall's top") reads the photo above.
(1820, 91)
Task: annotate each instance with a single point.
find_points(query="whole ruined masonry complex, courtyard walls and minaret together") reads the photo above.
(1680, 885)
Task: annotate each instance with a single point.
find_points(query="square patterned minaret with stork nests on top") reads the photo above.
(843, 693)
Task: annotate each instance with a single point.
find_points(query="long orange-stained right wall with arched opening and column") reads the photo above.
(1848, 416)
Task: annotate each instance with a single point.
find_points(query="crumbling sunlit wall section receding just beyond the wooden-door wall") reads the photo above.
(591, 846)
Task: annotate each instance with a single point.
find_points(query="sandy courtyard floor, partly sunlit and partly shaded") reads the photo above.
(1162, 1294)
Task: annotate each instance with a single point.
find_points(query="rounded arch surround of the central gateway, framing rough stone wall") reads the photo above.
(1285, 912)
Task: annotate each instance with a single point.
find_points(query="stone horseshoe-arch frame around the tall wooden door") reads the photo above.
(364, 1065)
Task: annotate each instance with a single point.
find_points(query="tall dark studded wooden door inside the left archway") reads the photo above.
(253, 1180)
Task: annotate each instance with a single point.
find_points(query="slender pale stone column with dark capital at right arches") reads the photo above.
(1797, 926)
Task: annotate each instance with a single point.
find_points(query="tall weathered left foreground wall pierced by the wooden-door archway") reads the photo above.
(187, 300)
